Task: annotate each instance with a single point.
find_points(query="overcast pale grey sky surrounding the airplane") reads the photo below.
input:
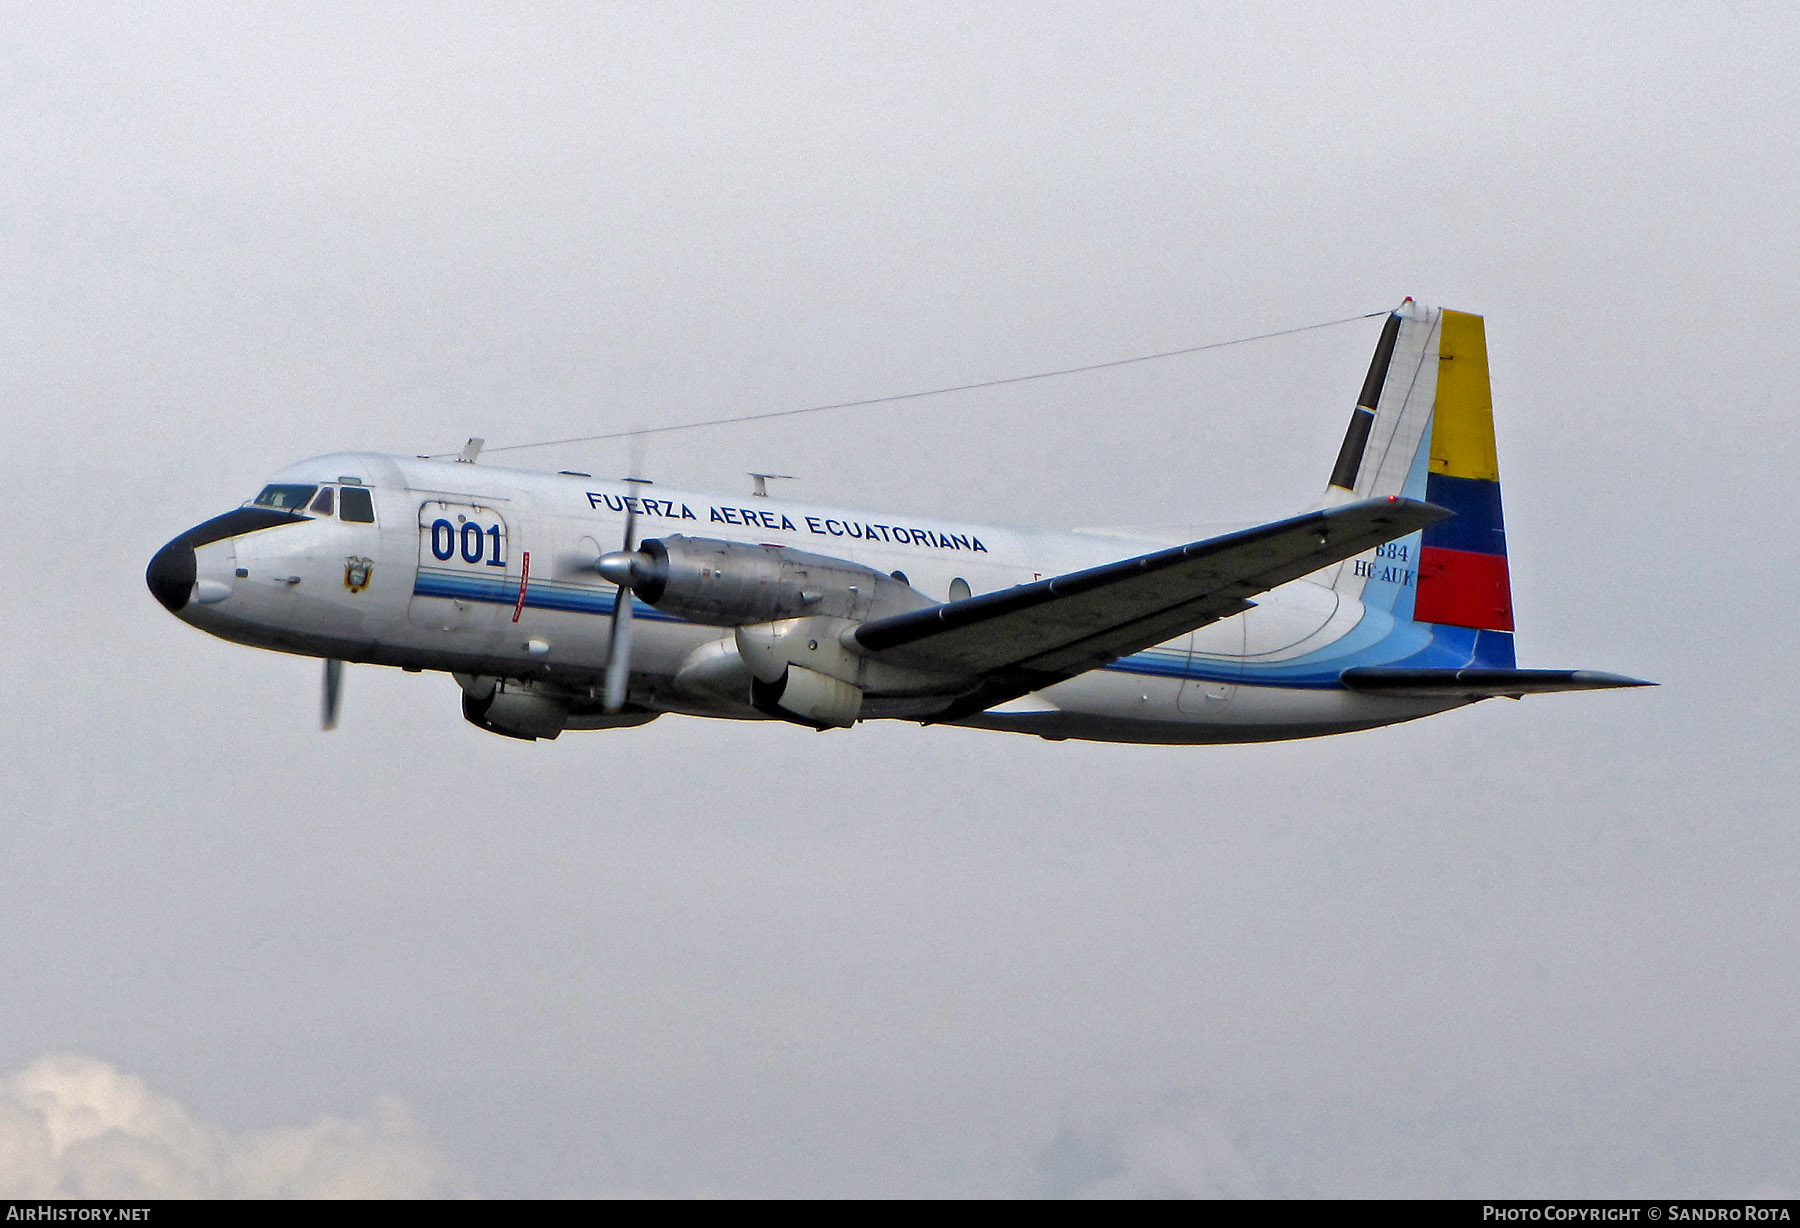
(1542, 948)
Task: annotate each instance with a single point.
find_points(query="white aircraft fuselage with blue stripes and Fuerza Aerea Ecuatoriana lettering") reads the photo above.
(490, 572)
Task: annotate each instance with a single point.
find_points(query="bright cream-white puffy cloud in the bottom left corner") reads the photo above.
(73, 1126)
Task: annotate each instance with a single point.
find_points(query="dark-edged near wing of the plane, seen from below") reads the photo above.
(1043, 633)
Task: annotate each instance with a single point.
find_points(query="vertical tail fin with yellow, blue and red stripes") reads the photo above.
(1425, 429)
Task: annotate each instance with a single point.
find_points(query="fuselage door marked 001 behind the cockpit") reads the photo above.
(467, 568)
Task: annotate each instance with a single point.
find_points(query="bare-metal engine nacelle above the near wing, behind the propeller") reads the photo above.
(735, 584)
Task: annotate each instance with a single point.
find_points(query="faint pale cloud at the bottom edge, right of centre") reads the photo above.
(1182, 1151)
